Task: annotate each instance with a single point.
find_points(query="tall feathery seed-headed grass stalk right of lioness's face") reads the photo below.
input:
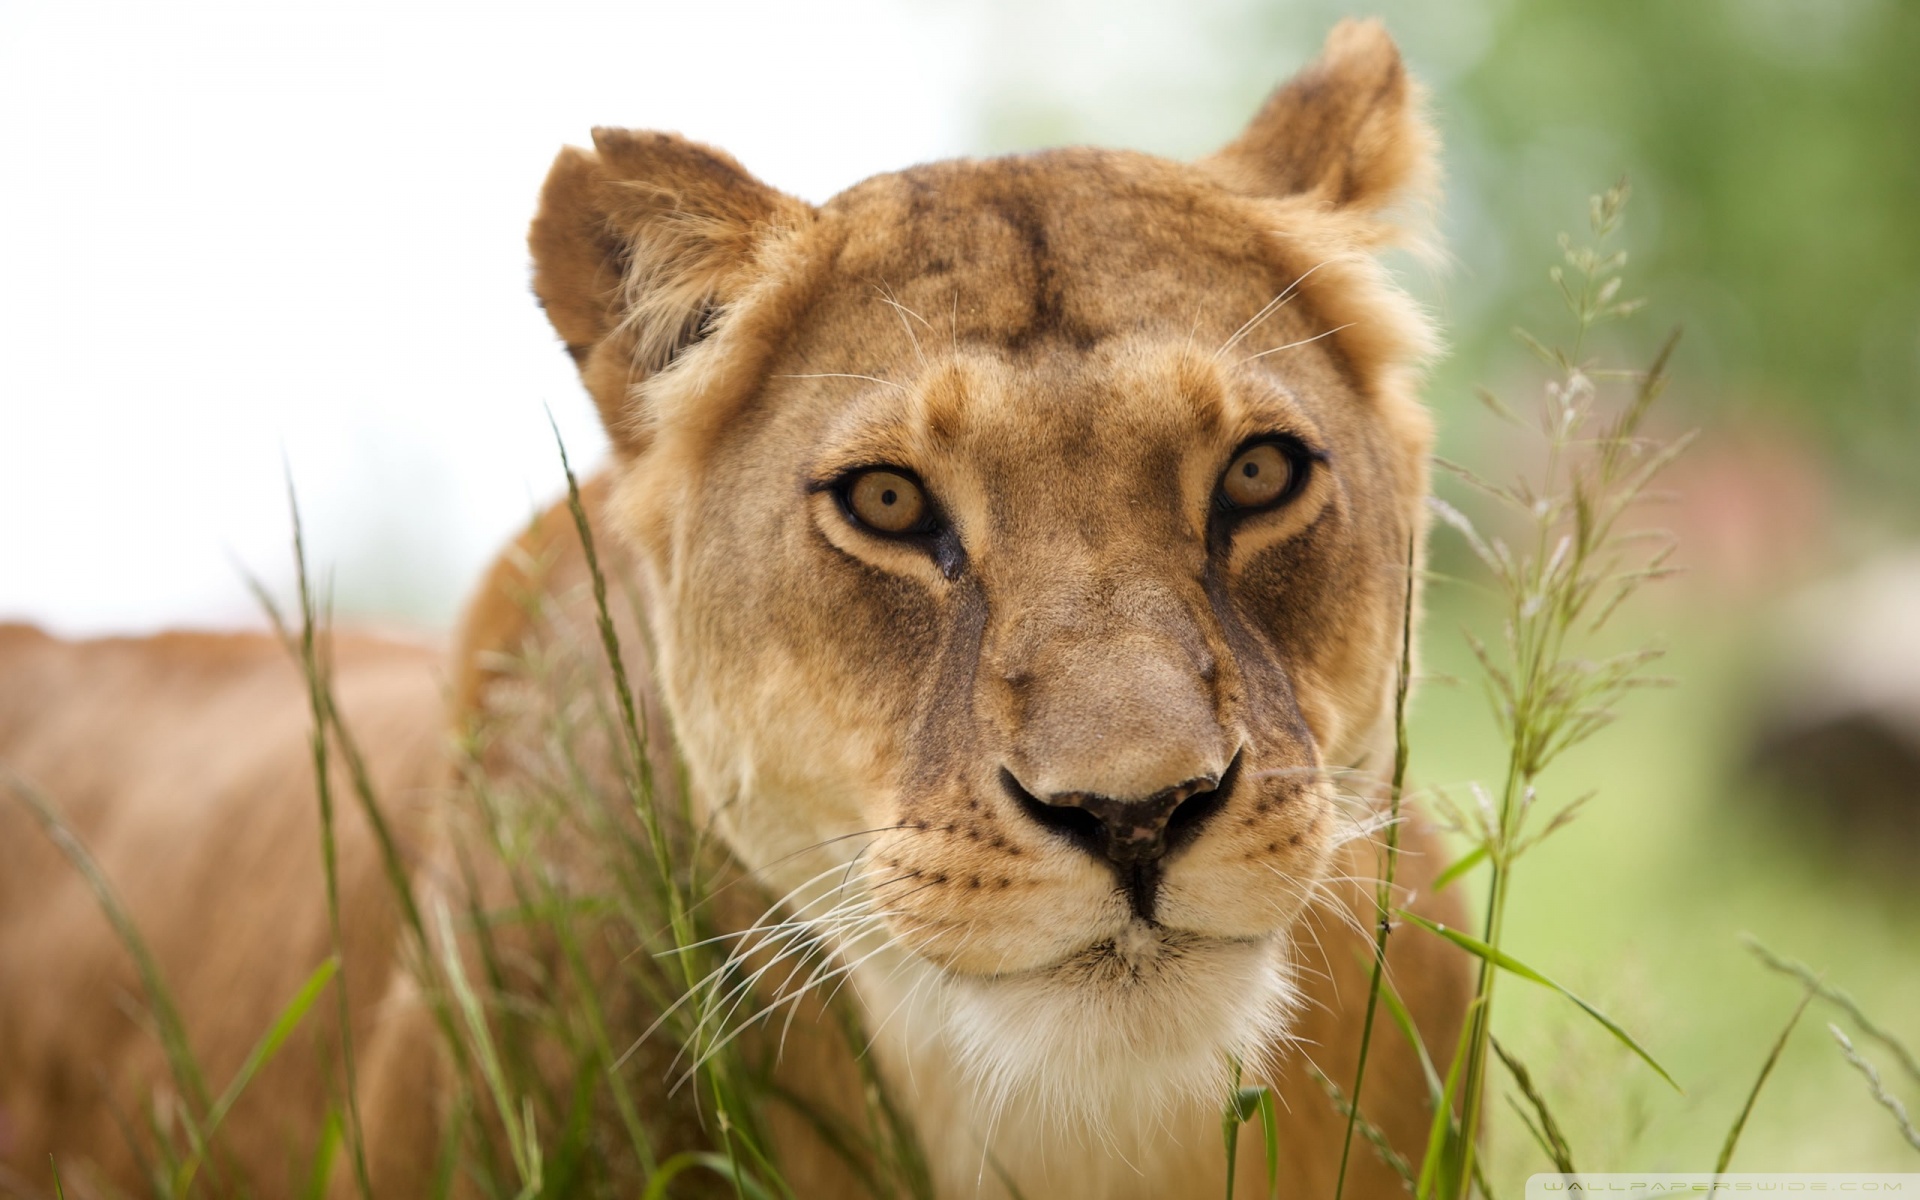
(1568, 569)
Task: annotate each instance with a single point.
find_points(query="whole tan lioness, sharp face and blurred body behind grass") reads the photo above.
(1030, 531)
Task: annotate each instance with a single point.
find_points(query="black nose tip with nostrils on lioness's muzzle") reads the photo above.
(1134, 836)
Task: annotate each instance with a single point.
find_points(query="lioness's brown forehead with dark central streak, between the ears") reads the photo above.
(1053, 252)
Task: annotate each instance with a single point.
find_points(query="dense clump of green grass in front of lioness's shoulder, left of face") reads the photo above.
(596, 996)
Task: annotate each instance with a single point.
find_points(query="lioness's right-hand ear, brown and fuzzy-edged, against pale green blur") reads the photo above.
(1347, 132)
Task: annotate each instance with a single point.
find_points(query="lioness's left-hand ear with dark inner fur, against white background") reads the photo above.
(638, 249)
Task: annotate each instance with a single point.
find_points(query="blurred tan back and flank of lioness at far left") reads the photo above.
(183, 763)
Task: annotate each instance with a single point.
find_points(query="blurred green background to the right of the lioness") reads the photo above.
(1775, 156)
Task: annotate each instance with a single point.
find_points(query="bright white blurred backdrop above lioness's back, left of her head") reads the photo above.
(243, 231)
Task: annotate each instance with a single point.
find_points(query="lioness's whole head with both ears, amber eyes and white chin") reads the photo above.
(1026, 546)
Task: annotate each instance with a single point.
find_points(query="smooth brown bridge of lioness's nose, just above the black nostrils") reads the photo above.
(1111, 688)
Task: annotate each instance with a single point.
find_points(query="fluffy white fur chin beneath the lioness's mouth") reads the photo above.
(1124, 1034)
